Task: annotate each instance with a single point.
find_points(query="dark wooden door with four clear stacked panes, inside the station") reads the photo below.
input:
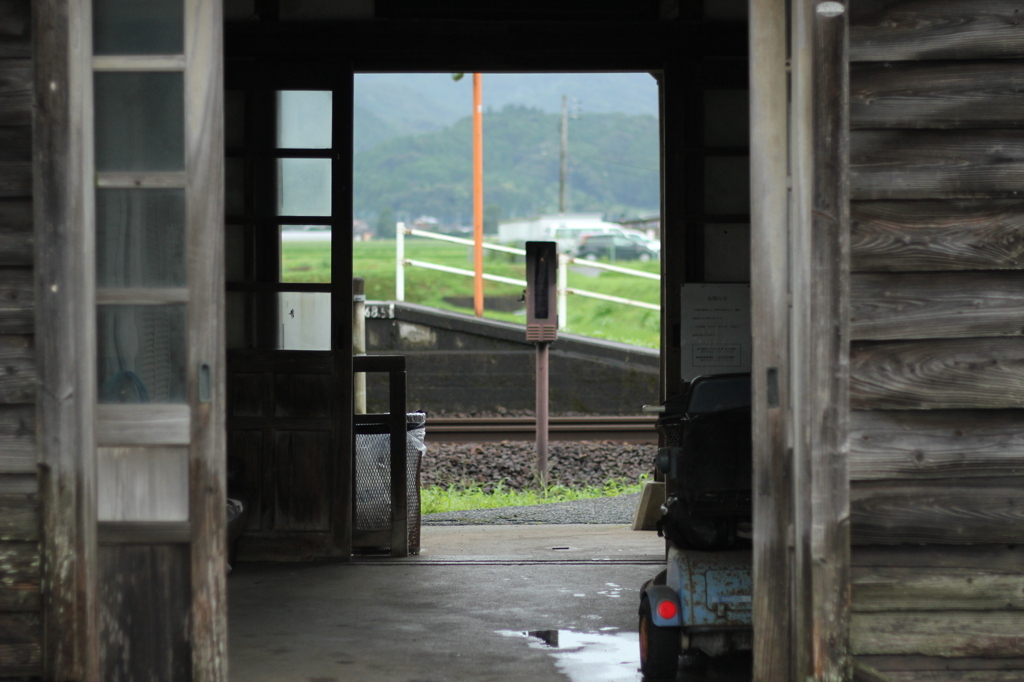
(289, 331)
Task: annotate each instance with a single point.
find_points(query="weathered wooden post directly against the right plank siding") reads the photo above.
(820, 245)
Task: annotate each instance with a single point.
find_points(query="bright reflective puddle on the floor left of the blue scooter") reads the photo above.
(588, 657)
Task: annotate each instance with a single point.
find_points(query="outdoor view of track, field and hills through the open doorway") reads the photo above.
(567, 158)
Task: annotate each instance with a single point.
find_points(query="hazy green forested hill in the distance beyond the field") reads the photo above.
(614, 167)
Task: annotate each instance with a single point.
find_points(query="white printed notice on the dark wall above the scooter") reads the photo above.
(715, 335)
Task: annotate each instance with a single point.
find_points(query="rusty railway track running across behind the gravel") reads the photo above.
(619, 430)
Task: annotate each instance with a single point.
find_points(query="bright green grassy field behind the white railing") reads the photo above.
(311, 262)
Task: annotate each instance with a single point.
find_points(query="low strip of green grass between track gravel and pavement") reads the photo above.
(462, 498)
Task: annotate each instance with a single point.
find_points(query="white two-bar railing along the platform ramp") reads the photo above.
(565, 291)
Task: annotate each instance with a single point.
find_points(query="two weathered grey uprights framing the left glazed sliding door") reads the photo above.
(64, 178)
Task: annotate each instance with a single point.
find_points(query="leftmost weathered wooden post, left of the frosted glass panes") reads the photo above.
(63, 215)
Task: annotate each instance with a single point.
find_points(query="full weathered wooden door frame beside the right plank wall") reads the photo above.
(800, 271)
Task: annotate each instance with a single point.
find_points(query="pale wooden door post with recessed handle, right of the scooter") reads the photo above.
(774, 492)
